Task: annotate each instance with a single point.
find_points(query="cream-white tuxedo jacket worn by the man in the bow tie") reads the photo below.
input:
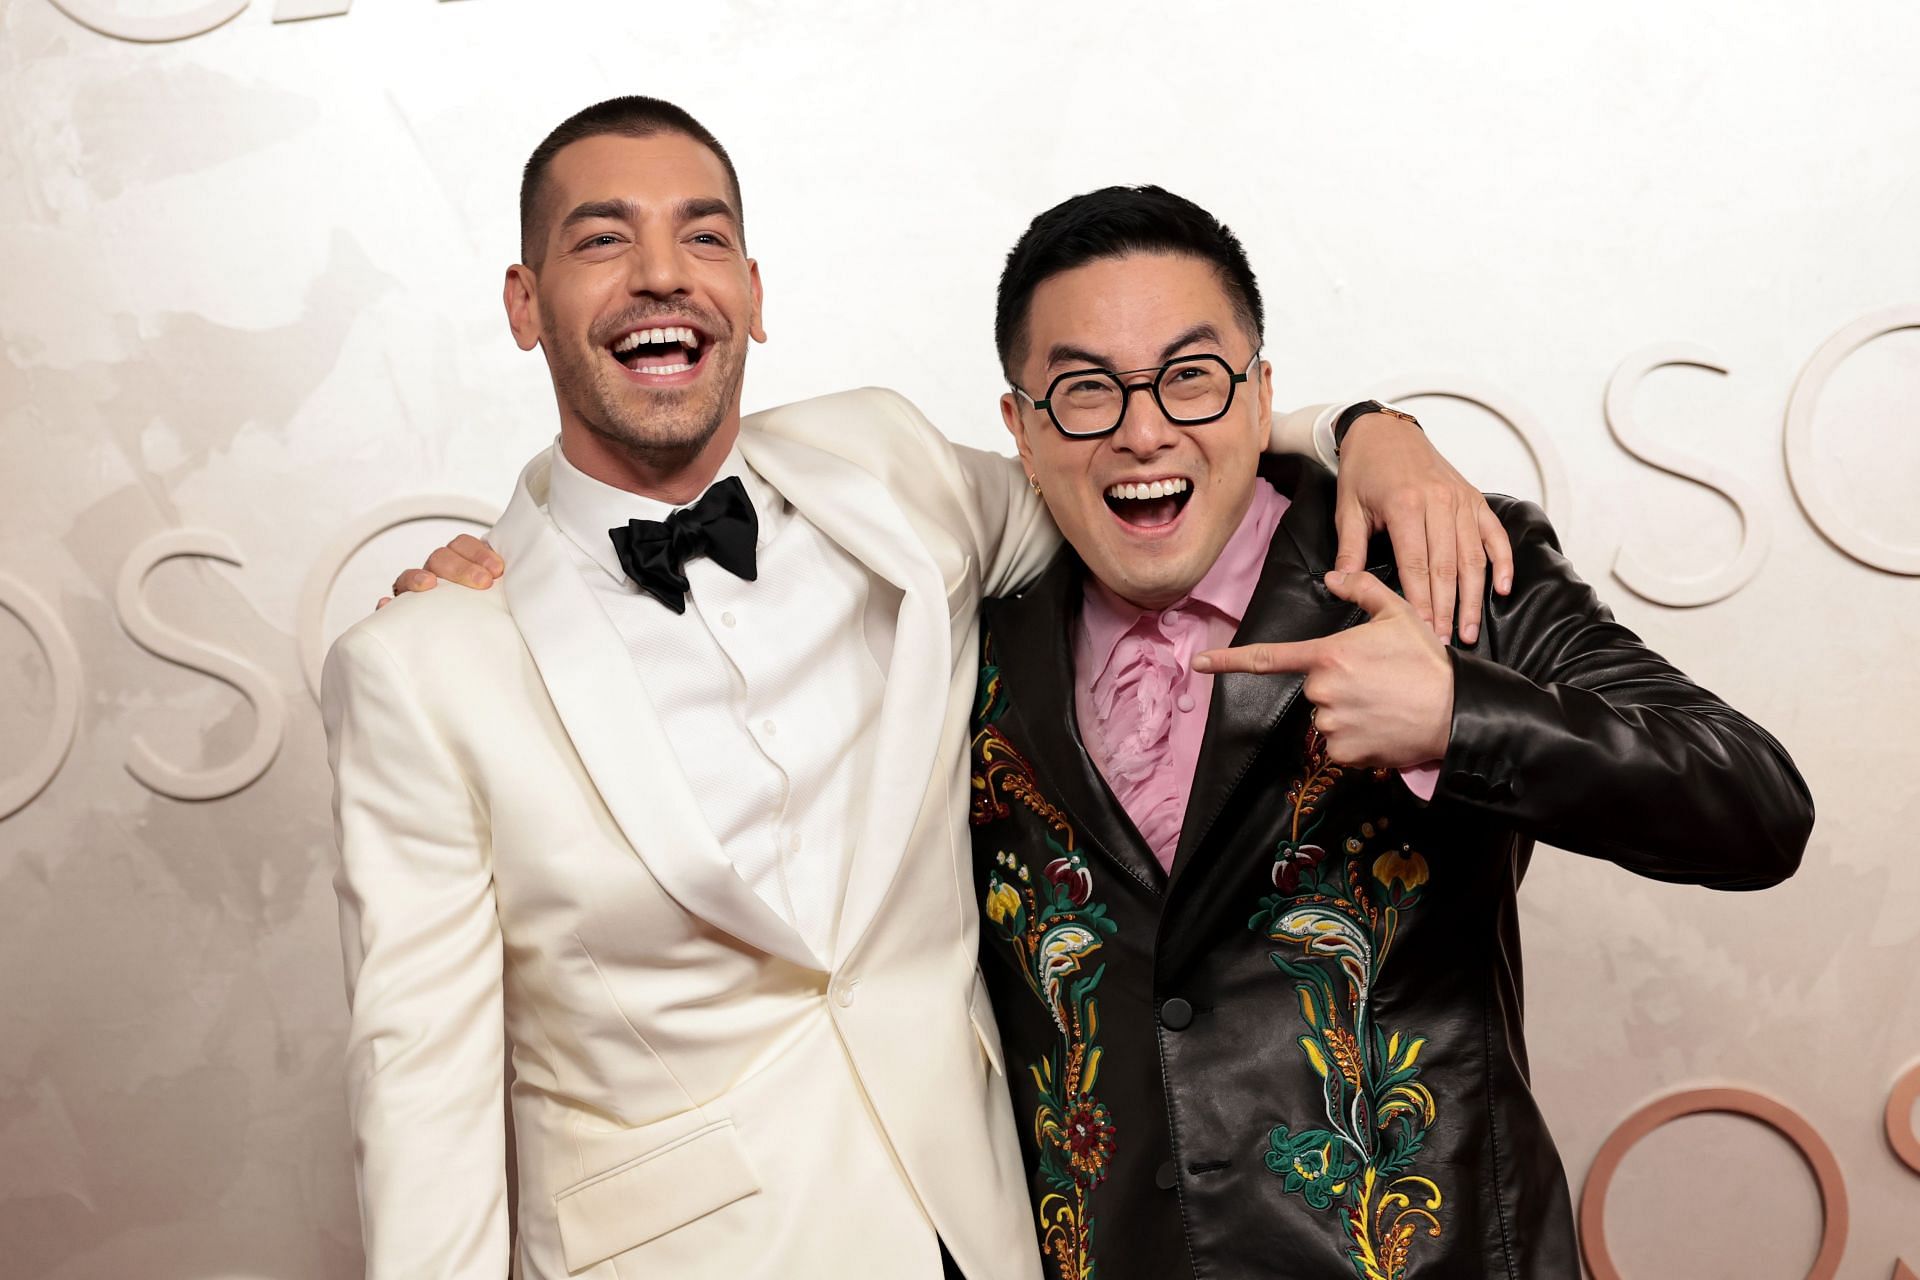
(525, 874)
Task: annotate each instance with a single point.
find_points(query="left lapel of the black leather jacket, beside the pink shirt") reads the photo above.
(1032, 640)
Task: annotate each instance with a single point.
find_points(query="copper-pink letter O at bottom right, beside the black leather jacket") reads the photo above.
(1777, 1116)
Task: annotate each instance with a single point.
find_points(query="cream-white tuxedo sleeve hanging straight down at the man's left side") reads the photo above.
(423, 970)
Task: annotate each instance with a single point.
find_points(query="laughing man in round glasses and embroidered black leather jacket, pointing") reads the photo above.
(1249, 918)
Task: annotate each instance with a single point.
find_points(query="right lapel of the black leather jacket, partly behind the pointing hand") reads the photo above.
(1291, 604)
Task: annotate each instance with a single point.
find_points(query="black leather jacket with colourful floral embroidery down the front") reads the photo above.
(1301, 1053)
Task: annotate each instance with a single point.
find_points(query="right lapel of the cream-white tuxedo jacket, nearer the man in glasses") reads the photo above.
(857, 511)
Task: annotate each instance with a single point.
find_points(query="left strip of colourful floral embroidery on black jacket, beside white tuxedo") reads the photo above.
(1055, 930)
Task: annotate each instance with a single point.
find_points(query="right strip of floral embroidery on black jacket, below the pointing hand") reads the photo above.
(1339, 916)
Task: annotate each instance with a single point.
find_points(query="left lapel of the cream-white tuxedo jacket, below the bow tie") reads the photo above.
(613, 728)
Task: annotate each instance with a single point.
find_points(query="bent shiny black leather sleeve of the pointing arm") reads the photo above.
(1568, 728)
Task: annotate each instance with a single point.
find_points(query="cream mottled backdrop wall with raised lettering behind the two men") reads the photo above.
(249, 314)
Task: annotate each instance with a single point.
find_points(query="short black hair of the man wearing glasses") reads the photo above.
(1111, 224)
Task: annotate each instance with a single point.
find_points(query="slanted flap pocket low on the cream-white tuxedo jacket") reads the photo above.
(652, 1195)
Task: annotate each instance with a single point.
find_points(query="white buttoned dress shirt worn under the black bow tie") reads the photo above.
(767, 690)
